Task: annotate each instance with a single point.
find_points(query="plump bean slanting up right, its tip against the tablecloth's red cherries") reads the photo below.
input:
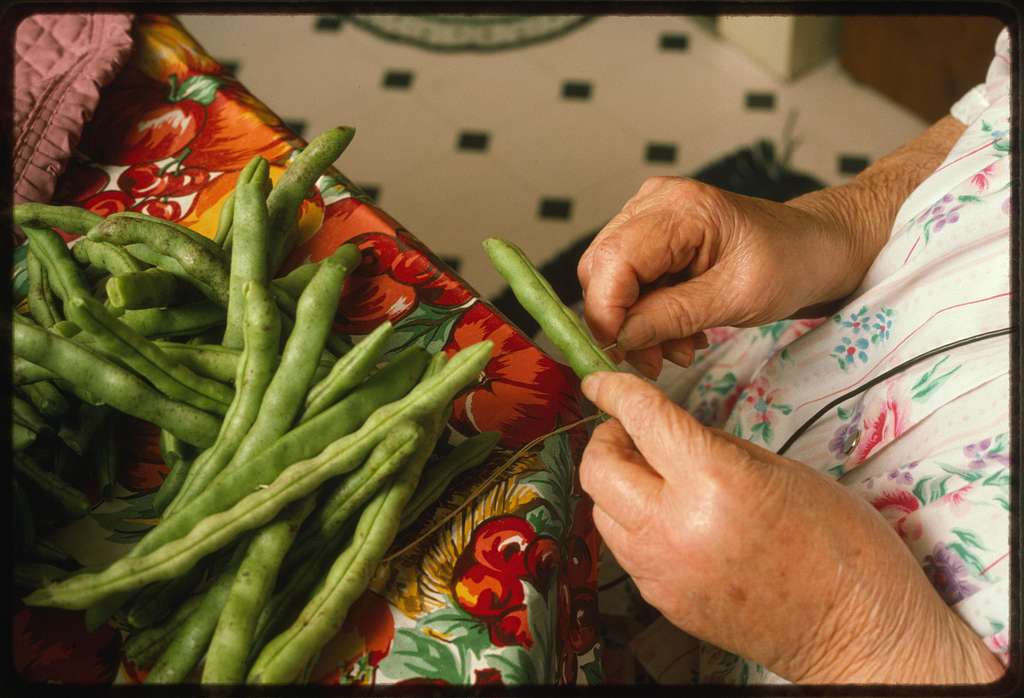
(287, 390)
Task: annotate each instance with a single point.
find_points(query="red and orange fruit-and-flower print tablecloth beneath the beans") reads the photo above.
(504, 593)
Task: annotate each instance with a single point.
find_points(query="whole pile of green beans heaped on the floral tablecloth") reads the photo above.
(295, 458)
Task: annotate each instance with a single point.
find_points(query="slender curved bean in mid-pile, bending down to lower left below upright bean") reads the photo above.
(255, 374)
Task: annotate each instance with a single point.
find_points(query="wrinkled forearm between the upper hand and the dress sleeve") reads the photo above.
(862, 213)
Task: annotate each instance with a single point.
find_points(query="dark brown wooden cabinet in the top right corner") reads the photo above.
(923, 63)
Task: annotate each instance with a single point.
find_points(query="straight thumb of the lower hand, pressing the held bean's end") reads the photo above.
(663, 432)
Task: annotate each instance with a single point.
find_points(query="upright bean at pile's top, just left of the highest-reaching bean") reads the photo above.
(250, 247)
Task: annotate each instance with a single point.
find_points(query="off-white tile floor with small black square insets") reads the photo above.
(542, 144)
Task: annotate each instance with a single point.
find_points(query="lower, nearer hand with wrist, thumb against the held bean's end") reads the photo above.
(762, 556)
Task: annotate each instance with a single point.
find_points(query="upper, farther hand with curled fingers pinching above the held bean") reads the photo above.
(744, 263)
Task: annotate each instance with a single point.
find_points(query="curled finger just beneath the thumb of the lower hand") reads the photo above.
(618, 478)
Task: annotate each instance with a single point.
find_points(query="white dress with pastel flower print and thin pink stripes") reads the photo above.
(930, 447)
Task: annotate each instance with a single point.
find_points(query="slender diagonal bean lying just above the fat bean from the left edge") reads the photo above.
(147, 359)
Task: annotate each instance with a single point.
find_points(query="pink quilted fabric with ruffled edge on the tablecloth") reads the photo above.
(61, 64)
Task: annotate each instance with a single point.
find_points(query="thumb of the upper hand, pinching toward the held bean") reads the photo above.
(675, 313)
